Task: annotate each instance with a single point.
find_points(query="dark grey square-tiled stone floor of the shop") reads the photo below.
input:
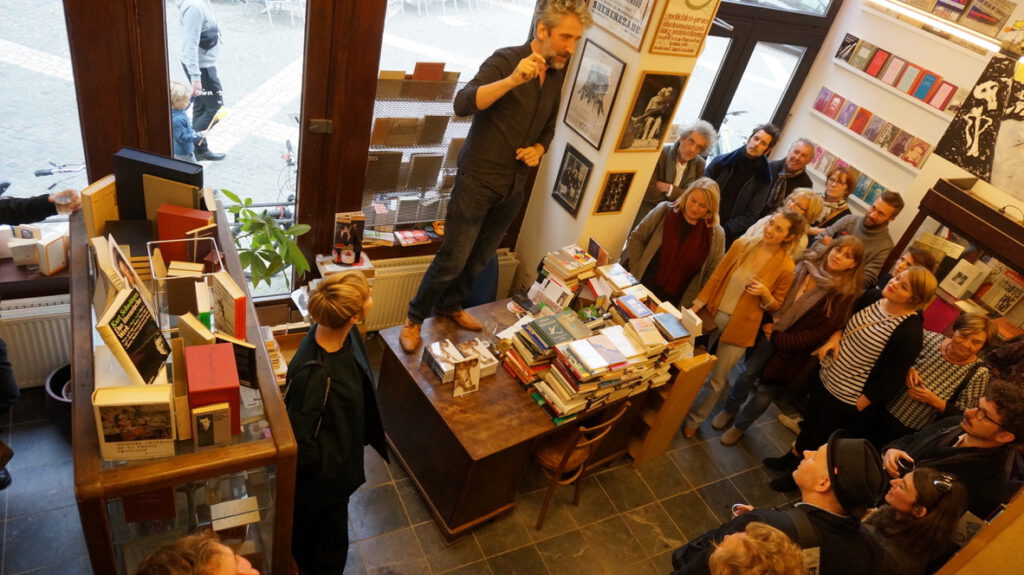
(629, 520)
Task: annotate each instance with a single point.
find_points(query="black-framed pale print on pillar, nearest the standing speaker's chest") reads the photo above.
(594, 92)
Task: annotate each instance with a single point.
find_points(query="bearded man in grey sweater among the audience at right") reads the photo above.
(872, 229)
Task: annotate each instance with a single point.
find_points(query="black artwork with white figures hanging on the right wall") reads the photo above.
(971, 140)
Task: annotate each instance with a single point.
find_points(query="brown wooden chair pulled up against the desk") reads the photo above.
(565, 457)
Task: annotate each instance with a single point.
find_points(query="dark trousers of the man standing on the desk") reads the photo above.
(478, 218)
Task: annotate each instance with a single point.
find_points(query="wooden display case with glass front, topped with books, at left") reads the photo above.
(181, 491)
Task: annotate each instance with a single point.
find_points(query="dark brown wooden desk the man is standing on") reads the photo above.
(464, 455)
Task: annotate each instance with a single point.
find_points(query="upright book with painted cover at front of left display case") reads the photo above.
(135, 422)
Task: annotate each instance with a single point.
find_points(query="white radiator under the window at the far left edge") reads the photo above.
(37, 332)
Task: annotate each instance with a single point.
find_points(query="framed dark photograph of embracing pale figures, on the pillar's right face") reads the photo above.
(652, 113)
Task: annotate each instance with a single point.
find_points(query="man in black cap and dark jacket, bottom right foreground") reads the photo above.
(838, 483)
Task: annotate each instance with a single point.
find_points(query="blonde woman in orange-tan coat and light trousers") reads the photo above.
(754, 278)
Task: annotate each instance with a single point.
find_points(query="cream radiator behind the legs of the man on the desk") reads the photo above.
(397, 281)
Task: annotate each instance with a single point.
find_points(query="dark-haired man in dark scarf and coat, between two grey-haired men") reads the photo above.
(745, 180)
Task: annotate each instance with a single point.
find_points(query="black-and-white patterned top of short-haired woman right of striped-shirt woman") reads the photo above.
(943, 378)
